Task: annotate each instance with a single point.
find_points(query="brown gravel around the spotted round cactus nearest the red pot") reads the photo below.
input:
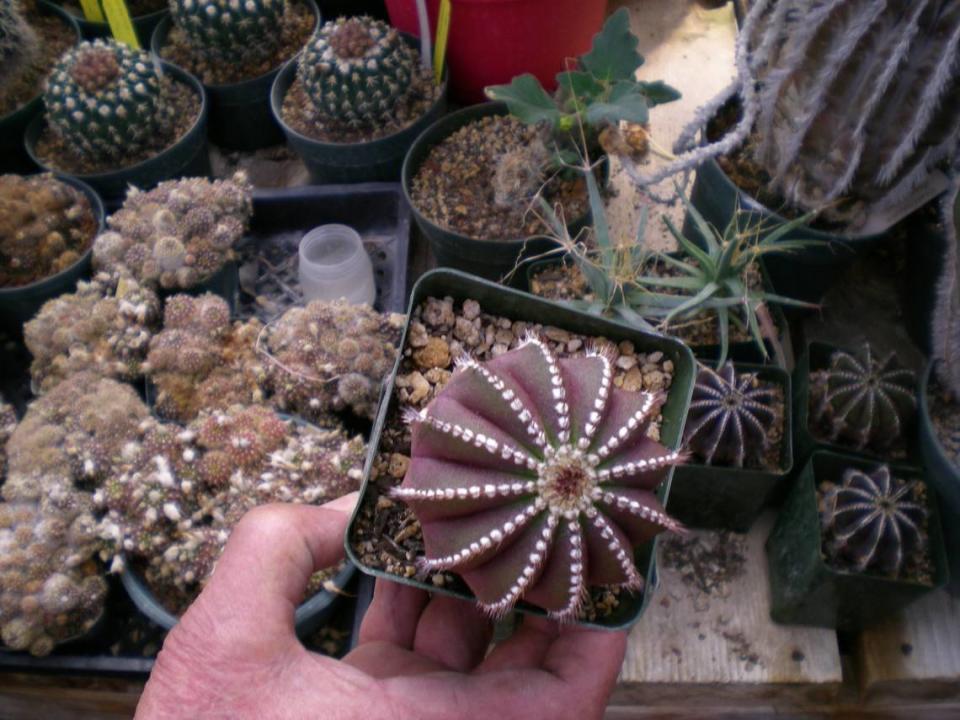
(299, 114)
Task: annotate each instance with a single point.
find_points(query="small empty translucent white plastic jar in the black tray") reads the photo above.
(333, 265)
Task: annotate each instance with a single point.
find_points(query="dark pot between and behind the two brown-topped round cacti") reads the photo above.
(240, 115)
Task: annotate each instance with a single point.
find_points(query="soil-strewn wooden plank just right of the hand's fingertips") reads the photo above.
(715, 644)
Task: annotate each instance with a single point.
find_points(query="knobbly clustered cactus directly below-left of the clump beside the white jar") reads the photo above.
(102, 327)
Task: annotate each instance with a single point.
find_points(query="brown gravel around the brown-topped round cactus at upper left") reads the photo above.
(58, 155)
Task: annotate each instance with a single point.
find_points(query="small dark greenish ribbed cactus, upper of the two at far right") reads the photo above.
(862, 401)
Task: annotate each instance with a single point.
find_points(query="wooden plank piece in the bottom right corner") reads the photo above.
(915, 655)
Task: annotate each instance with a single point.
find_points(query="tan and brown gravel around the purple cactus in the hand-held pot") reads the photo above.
(388, 536)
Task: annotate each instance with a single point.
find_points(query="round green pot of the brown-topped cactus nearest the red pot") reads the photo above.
(375, 160)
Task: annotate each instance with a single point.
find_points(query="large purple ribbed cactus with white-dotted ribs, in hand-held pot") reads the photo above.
(533, 478)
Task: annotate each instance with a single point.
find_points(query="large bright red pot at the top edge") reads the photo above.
(491, 41)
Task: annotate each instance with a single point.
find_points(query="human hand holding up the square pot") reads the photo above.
(235, 654)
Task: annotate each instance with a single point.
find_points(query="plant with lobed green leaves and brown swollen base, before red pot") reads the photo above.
(592, 99)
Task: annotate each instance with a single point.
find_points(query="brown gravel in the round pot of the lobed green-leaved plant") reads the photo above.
(455, 187)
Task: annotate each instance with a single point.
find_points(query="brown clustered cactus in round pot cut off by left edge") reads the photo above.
(46, 226)
